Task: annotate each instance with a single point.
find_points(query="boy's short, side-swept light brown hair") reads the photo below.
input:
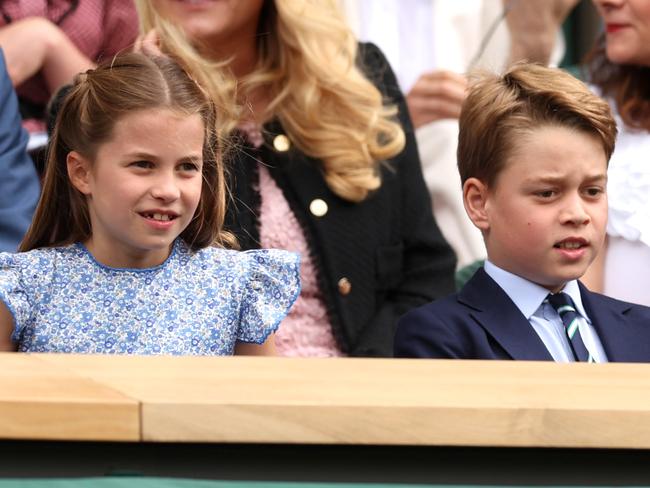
(501, 108)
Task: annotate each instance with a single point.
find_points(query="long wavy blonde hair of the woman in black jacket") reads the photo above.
(307, 64)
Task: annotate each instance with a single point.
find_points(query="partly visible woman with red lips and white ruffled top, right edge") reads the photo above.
(619, 68)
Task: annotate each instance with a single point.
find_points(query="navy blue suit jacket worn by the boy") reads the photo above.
(482, 322)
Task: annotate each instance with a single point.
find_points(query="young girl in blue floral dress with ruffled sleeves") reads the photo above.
(120, 256)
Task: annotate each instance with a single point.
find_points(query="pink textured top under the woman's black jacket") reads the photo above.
(306, 330)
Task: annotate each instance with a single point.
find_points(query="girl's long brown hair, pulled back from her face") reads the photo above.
(96, 100)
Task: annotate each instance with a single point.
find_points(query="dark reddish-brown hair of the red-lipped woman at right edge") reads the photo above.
(627, 85)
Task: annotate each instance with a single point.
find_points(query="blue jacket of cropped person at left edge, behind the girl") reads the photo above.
(19, 185)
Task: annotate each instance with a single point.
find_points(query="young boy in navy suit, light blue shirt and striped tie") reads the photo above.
(533, 150)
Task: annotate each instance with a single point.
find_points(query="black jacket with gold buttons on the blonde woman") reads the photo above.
(376, 259)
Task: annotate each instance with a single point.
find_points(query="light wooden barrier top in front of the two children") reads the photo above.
(325, 401)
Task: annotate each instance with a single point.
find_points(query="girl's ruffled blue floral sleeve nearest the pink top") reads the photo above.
(272, 285)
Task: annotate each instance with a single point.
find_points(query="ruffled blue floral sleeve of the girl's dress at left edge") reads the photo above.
(13, 291)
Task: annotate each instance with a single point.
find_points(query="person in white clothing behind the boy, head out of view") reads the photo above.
(433, 44)
